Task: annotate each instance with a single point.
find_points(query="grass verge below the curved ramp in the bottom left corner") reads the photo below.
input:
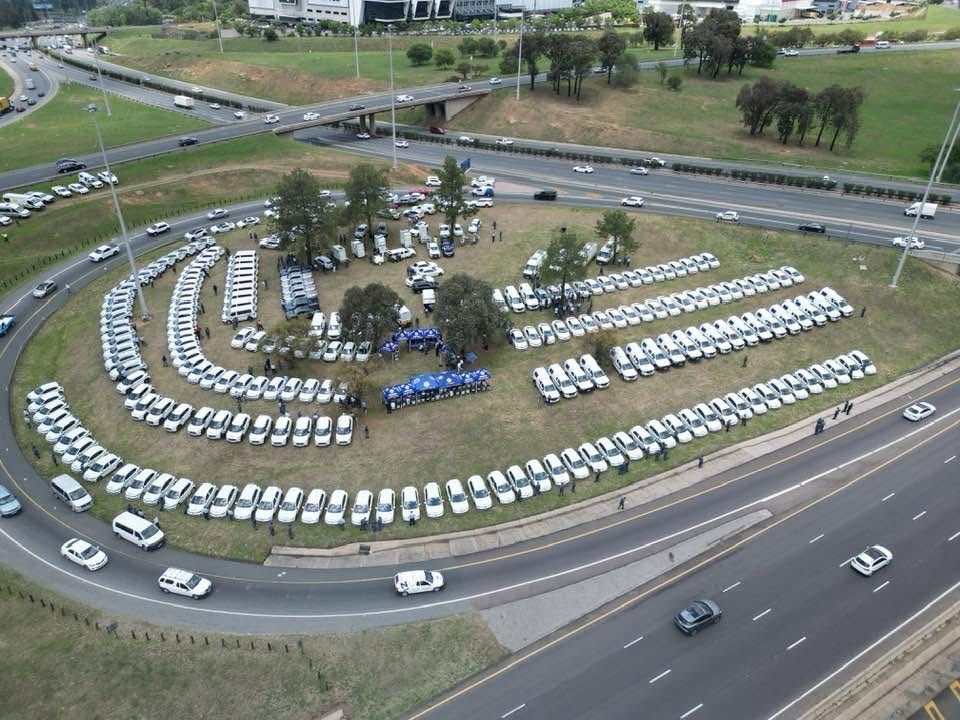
(376, 674)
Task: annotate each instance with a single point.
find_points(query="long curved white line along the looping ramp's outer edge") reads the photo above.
(452, 601)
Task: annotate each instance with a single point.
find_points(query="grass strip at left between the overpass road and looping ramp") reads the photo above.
(166, 186)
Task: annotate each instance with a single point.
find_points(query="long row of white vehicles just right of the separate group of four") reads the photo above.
(791, 317)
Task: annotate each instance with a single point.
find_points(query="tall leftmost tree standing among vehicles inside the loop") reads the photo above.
(303, 219)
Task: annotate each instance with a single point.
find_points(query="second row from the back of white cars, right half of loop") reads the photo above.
(687, 301)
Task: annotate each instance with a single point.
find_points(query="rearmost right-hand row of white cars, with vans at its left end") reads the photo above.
(526, 297)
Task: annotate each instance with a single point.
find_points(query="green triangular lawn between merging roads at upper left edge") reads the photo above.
(63, 128)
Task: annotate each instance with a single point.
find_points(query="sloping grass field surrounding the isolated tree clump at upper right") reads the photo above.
(703, 119)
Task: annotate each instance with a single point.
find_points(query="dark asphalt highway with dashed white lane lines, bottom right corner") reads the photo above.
(793, 610)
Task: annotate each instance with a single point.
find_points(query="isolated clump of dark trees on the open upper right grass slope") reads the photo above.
(795, 111)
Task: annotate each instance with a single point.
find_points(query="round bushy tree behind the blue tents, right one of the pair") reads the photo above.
(466, 314)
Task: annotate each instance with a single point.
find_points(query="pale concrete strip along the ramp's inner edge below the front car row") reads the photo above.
(415, 550)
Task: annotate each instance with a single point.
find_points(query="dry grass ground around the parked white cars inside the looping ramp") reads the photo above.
(460, 437)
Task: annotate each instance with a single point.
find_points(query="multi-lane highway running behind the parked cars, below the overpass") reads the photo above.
(667, 192)
